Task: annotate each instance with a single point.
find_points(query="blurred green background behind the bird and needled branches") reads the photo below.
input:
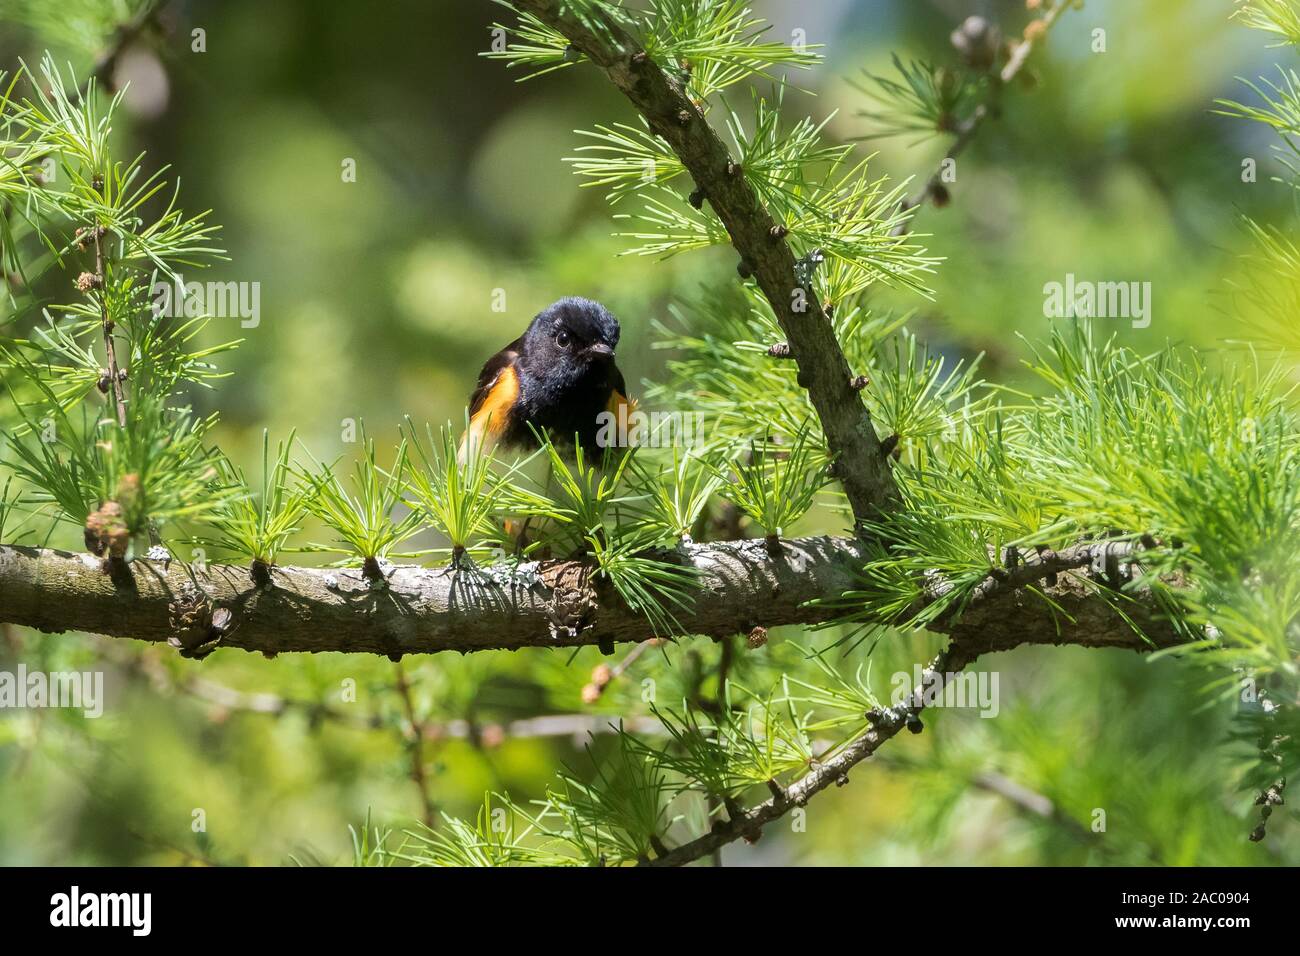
(378, 302)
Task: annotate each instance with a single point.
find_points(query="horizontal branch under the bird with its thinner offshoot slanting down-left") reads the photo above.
(557, 604)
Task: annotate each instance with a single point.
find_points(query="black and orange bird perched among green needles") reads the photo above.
(557, 378)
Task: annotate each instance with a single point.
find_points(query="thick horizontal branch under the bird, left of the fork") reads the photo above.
(421, 611)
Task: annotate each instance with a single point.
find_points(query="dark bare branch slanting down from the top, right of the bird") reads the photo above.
(824, 371)
